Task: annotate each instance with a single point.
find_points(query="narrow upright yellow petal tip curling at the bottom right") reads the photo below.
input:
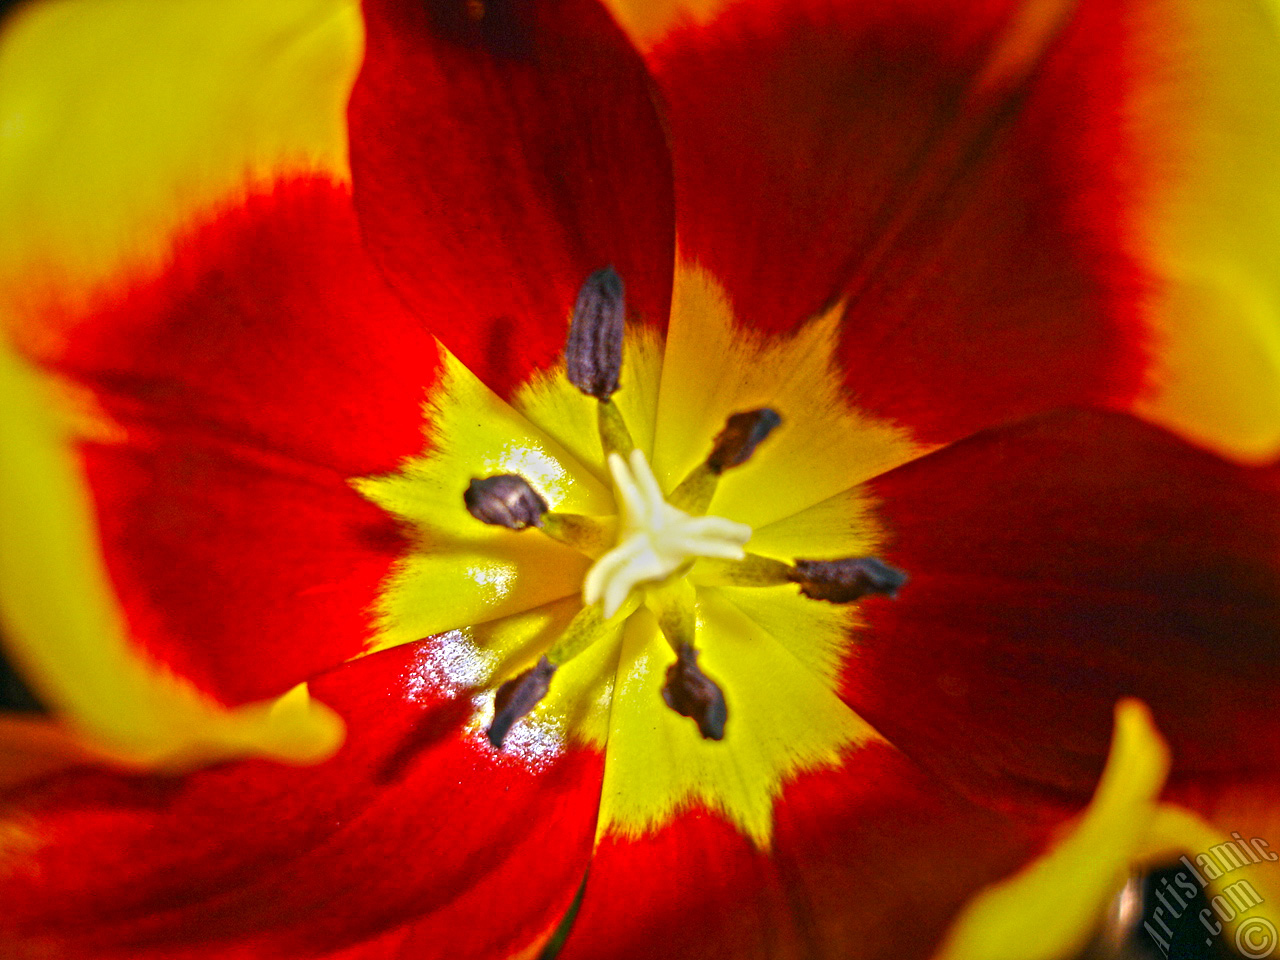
(1050, 909)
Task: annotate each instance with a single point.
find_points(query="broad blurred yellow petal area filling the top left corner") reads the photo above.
(122, 118)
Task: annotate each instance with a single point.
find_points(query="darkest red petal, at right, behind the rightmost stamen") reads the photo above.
(1055, 568)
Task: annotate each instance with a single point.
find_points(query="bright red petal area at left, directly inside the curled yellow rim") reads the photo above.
(236, 572)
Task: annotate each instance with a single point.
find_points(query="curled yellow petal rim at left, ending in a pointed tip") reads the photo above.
(66, 632)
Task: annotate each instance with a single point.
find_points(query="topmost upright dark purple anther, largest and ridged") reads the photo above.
(593, 356)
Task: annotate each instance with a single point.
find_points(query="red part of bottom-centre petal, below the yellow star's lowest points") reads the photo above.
(870, 861)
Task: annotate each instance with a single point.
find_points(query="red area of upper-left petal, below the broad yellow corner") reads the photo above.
(268, 330)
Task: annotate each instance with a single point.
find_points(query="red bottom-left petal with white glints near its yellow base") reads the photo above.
(410, 822)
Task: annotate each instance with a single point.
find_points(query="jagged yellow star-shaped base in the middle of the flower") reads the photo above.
(639, 551)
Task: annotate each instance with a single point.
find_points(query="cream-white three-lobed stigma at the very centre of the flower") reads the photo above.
(656, 540)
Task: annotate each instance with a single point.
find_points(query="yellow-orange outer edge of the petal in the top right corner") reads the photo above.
(1210, 221)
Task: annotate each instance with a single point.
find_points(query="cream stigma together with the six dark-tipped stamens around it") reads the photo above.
(659, 540)
